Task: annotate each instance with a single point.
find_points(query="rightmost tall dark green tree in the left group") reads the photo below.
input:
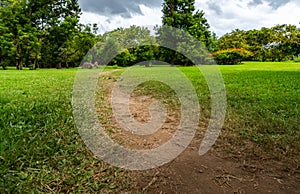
(58, 19)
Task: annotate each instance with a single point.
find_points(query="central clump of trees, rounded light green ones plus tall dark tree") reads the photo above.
(184, 39)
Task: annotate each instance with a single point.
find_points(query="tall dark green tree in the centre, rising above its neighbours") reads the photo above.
(181, 14)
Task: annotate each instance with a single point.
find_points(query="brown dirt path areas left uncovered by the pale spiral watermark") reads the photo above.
(215, 172)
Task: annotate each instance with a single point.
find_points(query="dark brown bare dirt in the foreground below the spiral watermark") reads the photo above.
(212, 173)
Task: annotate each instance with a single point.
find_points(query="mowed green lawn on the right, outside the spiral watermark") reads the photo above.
(263, 108)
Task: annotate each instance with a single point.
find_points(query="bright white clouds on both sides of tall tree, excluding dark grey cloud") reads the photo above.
(222, 15)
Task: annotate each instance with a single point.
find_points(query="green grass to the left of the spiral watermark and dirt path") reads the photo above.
(40, 148)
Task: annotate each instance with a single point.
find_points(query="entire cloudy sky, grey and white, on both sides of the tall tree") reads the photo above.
(222, 15)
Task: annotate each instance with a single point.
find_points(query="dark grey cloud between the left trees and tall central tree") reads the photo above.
(124, 8)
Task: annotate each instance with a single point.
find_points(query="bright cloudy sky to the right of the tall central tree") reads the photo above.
(238, 14)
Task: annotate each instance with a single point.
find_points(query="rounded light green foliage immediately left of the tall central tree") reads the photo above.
(123, 47)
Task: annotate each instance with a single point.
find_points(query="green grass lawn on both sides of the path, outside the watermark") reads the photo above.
(41, 150)
